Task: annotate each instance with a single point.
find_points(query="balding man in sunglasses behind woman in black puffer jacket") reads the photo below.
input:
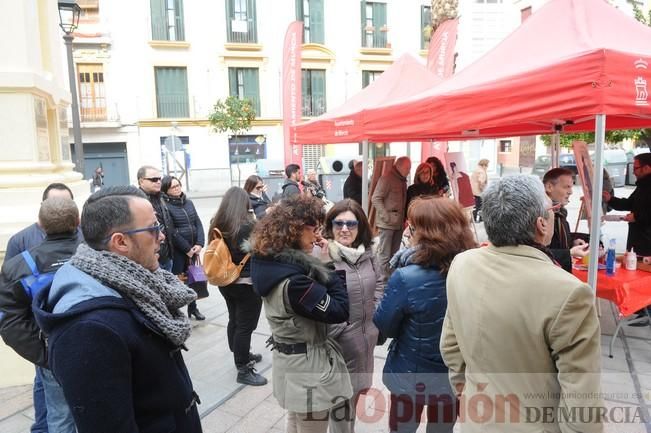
(149, 181)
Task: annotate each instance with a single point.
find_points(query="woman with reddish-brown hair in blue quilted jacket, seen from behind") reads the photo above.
(412, 312)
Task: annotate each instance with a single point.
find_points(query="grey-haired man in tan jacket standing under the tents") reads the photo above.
(389, 200)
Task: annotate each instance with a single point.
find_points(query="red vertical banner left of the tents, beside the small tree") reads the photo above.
(292, 97)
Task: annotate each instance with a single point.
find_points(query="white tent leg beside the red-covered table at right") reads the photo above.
(597, 186)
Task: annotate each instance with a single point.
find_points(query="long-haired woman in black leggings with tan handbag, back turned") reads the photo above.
(235, 220)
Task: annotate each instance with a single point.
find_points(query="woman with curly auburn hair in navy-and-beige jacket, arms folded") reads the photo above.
(301, 297)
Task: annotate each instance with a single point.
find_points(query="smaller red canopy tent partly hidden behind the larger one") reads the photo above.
(404, 78)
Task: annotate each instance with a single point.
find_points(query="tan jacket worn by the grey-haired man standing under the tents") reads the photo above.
(389, 200)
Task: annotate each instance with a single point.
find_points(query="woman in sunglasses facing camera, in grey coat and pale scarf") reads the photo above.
(349, 248)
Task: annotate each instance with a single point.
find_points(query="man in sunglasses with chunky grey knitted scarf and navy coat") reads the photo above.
(114, 323)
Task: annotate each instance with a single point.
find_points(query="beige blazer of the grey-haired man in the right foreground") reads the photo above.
(520, 330)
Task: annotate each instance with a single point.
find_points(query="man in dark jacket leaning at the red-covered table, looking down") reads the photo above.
(565, 244)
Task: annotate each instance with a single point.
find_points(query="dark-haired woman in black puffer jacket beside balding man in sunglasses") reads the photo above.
(187, 237)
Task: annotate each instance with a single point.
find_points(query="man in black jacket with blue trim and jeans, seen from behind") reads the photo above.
(59, 219)
